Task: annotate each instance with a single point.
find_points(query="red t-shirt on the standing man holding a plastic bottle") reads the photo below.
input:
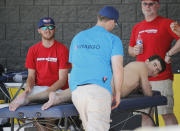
(157, 37)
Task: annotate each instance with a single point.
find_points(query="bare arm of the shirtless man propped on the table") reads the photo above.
(146, 87)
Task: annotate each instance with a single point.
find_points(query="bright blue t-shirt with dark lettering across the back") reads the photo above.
(90, 53)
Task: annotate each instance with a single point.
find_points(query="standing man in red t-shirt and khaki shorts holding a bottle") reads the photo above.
(156, 36)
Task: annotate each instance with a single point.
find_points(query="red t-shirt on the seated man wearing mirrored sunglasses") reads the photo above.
(47, 62)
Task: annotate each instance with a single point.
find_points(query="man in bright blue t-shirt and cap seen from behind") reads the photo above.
(96, 56)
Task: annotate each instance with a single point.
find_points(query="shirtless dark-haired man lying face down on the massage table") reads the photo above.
(135, 76)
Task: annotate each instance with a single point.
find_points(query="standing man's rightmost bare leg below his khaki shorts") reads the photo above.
(170, 119)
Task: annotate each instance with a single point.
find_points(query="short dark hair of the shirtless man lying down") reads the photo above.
(162, 62)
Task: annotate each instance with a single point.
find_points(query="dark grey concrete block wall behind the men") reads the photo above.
(18, 23)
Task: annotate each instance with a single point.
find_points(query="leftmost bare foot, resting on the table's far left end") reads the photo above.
(19, 101)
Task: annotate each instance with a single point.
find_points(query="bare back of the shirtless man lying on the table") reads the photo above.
(133, 72)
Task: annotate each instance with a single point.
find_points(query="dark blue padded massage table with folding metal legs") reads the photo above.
(68, 111)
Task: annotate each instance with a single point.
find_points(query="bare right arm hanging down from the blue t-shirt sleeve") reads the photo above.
(117, 68)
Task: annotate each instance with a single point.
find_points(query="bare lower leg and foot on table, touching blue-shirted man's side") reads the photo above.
(57, 98)
